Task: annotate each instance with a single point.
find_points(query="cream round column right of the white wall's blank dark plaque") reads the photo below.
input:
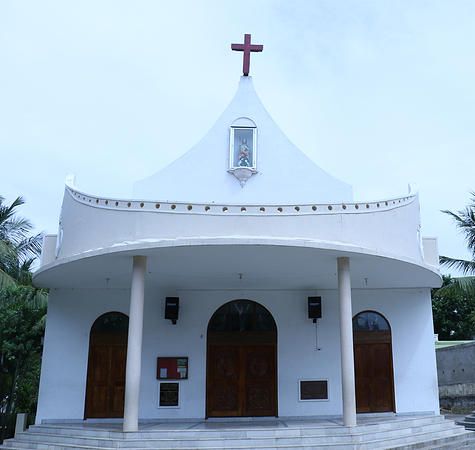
(346, 343)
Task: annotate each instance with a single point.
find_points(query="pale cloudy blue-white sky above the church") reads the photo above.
(379, 93)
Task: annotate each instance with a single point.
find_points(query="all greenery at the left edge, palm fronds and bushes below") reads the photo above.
(22, 312)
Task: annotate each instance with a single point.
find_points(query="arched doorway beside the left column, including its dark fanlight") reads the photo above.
(105, 388)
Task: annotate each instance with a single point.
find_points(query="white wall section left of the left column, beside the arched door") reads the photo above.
(71, 314)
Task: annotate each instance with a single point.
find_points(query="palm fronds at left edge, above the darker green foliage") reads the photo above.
(18, 249)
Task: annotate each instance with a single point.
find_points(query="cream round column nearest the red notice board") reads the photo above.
(134, 345)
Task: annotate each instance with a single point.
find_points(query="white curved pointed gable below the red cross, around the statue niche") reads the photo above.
(284, 174)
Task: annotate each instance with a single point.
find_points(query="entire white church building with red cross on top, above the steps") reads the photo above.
(238, 288)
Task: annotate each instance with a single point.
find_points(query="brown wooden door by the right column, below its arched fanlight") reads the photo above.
(373, 375)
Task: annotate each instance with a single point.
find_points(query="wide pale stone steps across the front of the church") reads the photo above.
(403, 433)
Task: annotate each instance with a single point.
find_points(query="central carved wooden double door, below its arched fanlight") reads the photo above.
(241, 380)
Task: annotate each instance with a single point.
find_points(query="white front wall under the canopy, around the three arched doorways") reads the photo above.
(71, 314)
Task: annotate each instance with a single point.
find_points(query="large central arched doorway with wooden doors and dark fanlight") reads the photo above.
(241, 377)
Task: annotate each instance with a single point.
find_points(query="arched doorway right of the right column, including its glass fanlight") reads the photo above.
(373, 363)
